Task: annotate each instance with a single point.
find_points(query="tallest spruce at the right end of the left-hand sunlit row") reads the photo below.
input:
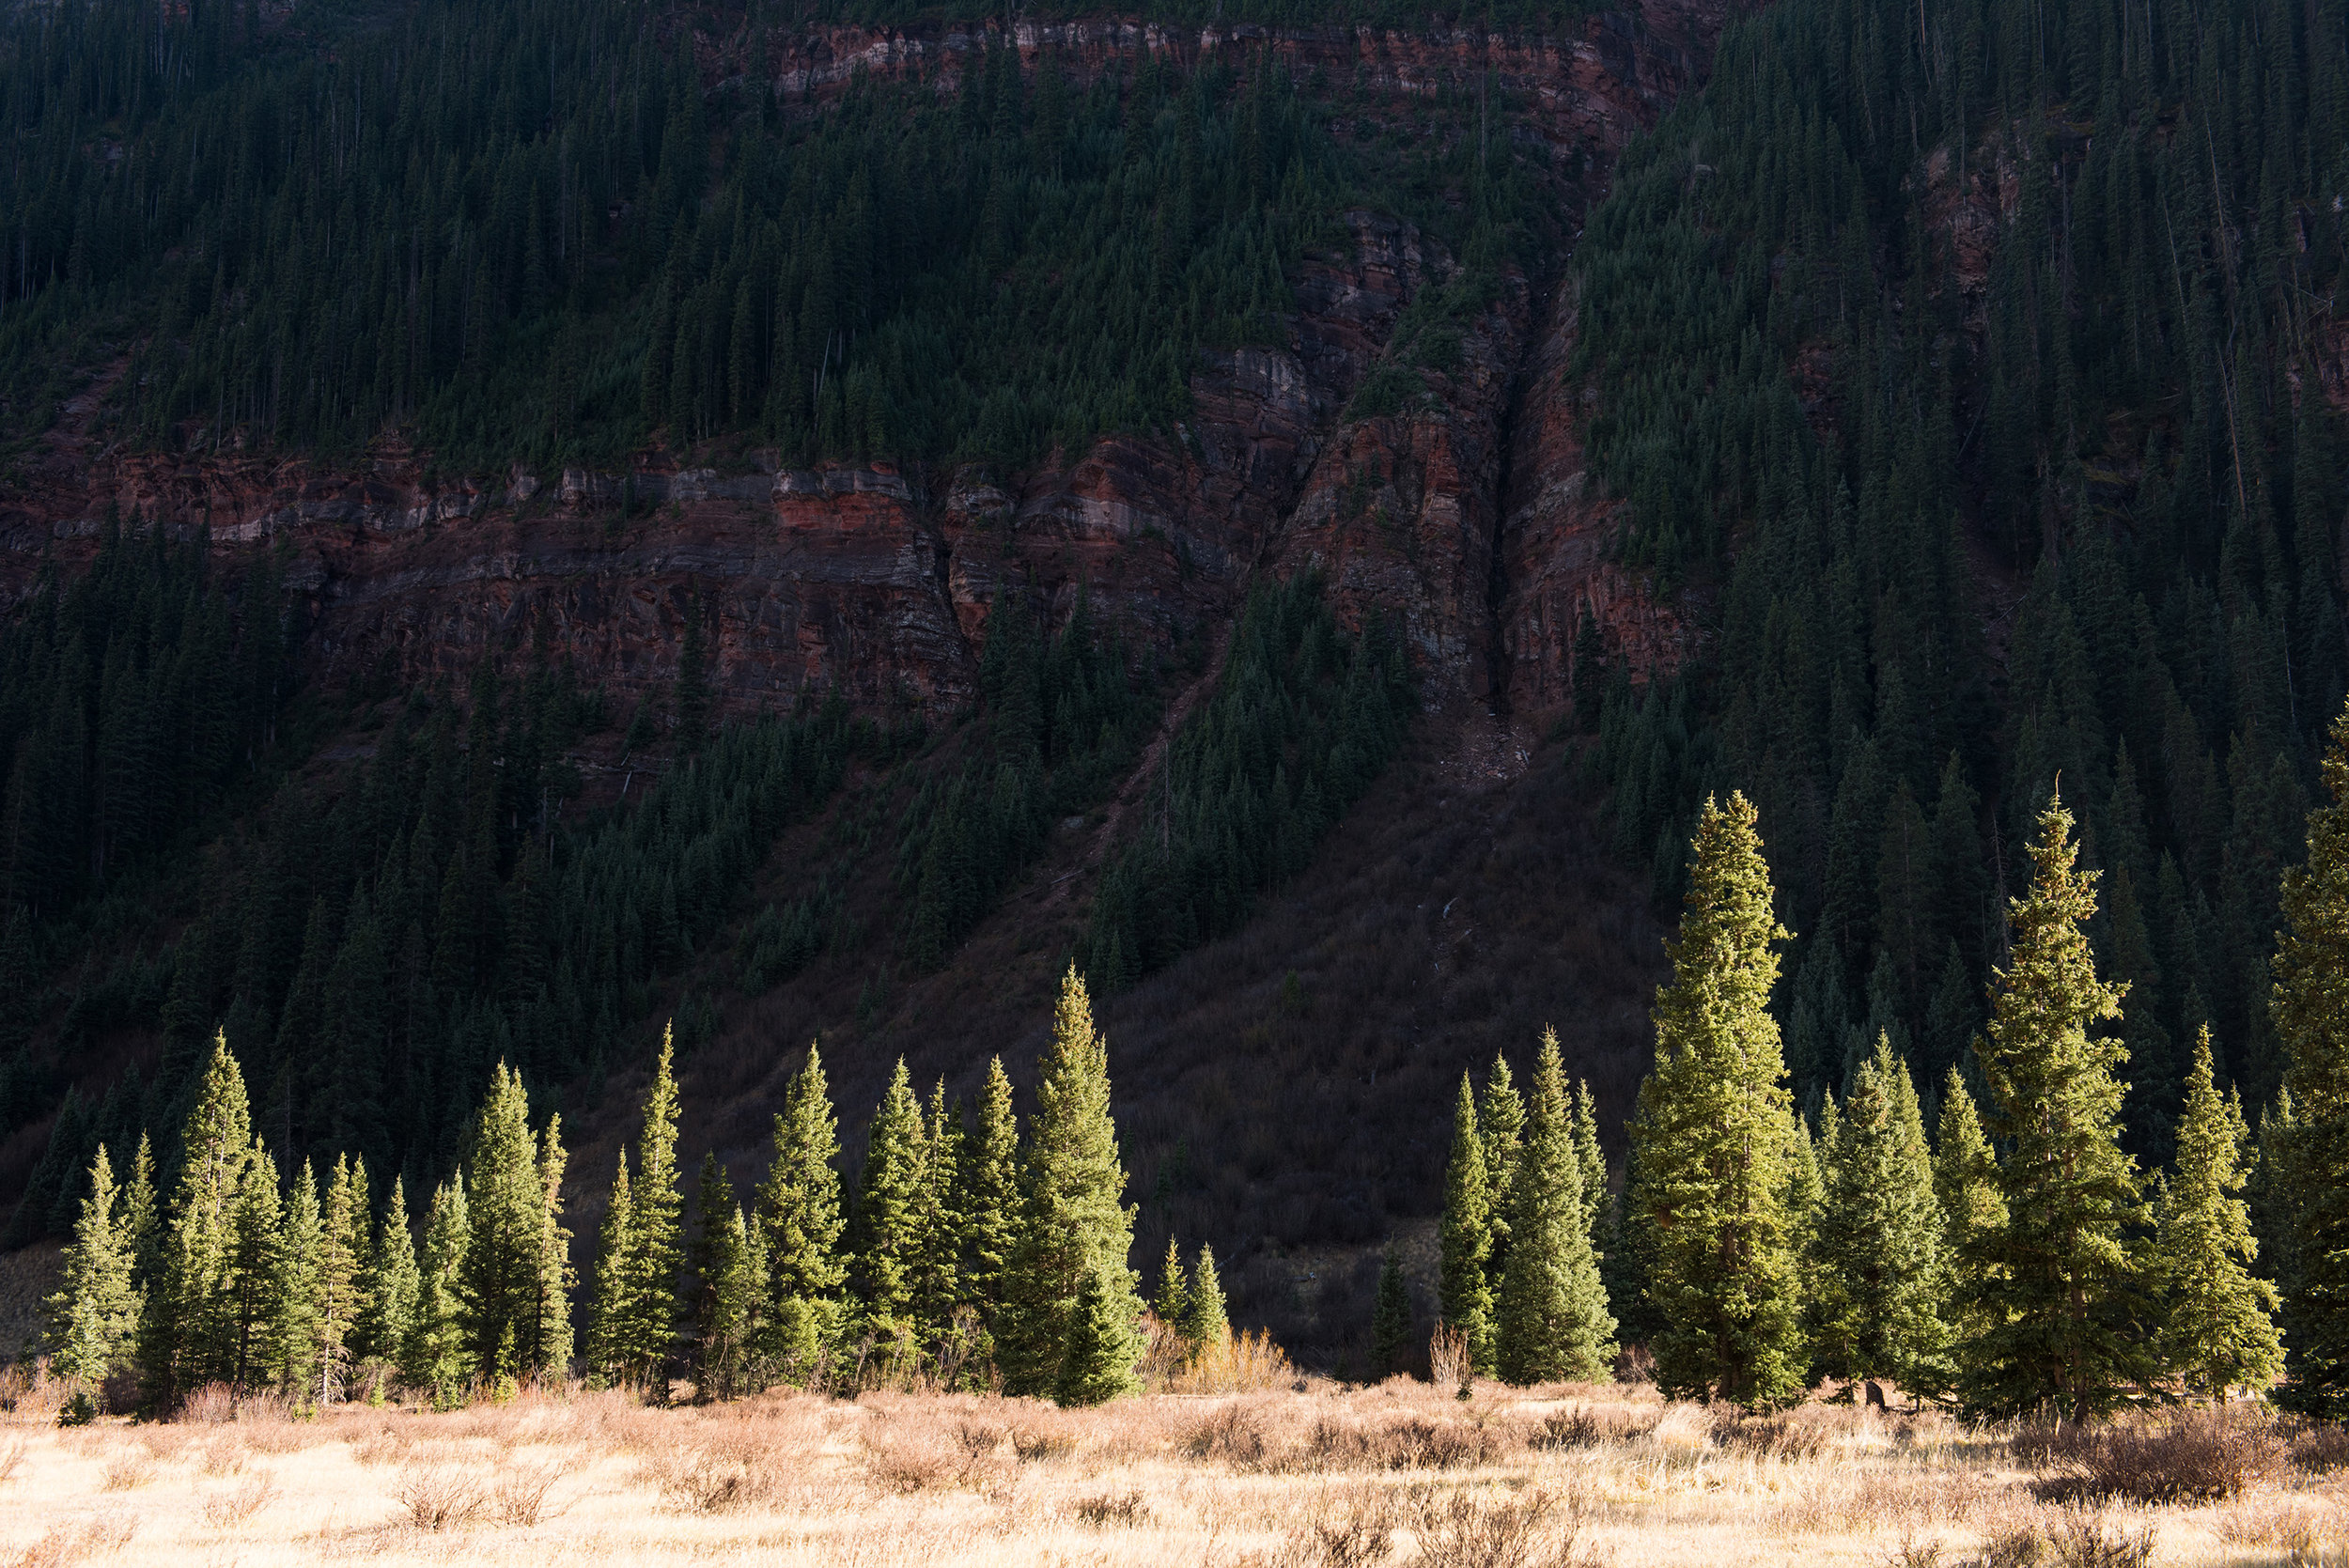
(1070, 1316)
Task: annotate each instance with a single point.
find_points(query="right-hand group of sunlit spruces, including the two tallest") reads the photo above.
(2014, 1262)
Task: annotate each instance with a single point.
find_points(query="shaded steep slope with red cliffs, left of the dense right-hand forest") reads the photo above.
(1347, 367)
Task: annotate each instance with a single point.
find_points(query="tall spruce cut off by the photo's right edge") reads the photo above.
(2310, 1008)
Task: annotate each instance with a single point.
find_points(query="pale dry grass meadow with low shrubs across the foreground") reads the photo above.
(1317, 1478)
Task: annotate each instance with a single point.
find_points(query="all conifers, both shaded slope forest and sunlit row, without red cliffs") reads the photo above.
(1963, 384)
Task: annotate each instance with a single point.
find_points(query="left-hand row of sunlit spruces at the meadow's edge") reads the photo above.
(967, 1250)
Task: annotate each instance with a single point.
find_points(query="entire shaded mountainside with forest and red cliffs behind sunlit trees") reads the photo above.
(532, 522)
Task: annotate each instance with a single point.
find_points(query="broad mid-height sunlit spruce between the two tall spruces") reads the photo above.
(1876, 1255)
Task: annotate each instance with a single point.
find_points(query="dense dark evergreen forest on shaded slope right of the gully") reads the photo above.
(2066, 264)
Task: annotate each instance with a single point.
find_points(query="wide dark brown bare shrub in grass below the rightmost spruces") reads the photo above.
(2202, 1457)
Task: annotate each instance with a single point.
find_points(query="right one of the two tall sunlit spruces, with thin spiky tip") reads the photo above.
(2064, 1306)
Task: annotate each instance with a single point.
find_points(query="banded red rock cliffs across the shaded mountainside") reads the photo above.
(1467, 515)
